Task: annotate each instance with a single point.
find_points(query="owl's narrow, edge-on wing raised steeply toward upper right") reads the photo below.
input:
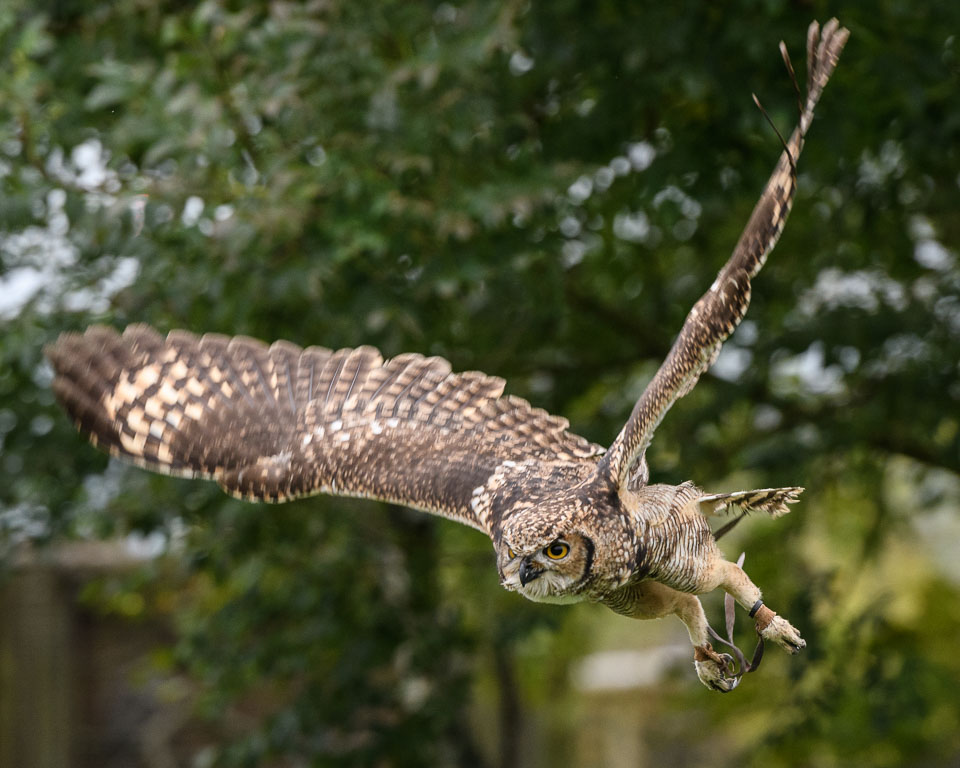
(719, 311)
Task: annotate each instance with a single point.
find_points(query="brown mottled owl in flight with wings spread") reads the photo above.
(569, 520)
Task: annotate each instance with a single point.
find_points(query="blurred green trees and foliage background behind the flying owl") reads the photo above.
(539, 191)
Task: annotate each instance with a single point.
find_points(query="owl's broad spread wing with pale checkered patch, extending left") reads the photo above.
(279, 422)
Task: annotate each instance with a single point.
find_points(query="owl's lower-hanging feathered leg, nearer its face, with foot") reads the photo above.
(653, 600)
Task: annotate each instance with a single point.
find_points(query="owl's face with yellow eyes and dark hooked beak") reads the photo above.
(546, 570)
